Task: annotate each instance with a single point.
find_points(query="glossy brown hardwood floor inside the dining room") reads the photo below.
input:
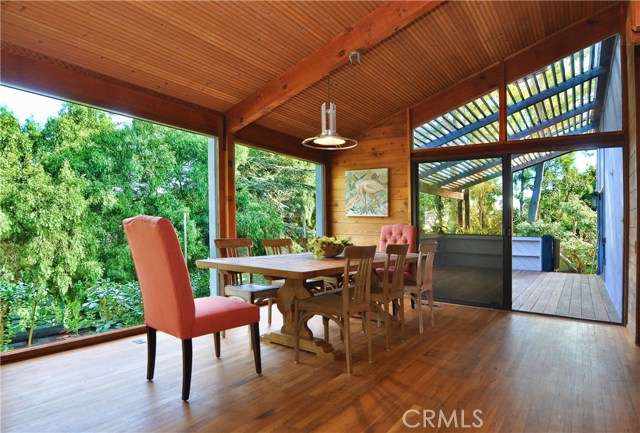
(525, 373)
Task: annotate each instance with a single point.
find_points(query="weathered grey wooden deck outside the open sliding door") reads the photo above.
(562, 294)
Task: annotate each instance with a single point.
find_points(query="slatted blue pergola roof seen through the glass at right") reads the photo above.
(564, 98)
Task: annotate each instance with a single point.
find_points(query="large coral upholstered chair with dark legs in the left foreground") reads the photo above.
(168, 300)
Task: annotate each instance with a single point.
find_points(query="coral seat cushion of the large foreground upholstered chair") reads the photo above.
(217, 313)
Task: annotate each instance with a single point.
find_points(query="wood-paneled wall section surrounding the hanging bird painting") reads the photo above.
(386, 145)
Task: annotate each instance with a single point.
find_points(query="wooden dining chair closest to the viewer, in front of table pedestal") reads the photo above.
(355, 298)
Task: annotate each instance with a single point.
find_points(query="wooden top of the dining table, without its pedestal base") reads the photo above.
(293, 266)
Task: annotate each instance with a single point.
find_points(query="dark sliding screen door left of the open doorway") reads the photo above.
(460, 205)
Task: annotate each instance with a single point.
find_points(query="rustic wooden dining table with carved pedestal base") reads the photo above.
(294, 269)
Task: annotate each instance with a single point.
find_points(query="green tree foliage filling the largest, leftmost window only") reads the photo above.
(65, 189)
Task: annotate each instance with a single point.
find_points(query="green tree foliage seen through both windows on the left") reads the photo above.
(66, 187)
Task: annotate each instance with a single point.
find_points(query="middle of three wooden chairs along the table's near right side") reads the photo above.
(390, 290)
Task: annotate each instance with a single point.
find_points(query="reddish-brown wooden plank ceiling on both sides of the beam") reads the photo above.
(219, 53)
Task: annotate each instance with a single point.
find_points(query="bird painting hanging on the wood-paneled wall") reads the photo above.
(367, 192)
